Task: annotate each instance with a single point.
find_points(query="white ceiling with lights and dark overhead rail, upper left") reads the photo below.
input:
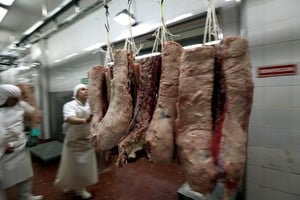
(51, 15)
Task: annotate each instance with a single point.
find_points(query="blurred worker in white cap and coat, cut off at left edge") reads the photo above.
(15, 161)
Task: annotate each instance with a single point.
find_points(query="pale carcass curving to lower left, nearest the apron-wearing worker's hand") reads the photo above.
(118, 116)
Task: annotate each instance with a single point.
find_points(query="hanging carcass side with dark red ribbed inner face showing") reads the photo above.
(146, 100)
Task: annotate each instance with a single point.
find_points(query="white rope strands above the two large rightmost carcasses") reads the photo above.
(211, 25)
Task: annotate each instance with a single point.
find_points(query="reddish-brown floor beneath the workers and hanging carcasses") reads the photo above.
(139, 180)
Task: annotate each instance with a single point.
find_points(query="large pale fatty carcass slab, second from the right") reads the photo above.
(194, 122)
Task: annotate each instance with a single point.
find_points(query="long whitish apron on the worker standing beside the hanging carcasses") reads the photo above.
(78, 166)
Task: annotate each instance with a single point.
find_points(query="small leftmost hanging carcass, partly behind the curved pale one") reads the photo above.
(97, 94)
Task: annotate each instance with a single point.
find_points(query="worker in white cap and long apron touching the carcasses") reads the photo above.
(78, 166)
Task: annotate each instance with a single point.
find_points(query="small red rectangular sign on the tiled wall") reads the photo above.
(280, 70)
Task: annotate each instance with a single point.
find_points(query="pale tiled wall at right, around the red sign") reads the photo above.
(273, 169)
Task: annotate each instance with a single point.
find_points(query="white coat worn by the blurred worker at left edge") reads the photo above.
(15, 167)
